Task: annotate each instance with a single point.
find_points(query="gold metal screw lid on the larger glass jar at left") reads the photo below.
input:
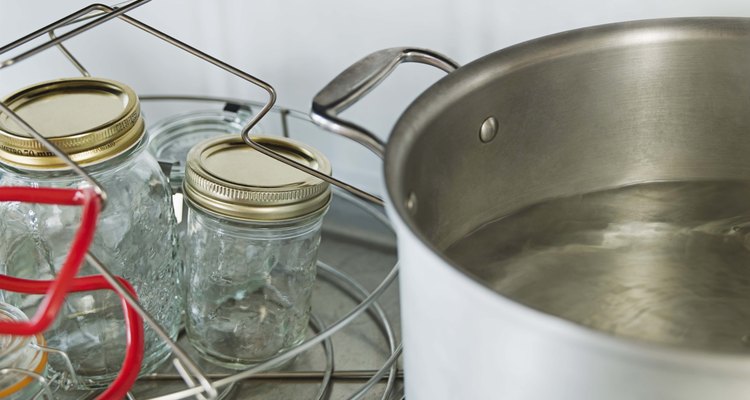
(90, 119)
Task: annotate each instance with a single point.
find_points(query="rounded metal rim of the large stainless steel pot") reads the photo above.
(443, 93)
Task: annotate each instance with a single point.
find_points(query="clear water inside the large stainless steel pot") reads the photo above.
(664, 262)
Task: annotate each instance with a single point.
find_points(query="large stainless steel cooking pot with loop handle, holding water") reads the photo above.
(572, 113)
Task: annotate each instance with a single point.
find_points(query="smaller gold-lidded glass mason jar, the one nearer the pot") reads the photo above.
(253, 231)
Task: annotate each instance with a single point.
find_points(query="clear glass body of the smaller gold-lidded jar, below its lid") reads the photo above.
(249, 285)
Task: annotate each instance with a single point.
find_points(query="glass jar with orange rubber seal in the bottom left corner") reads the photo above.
(20, 353)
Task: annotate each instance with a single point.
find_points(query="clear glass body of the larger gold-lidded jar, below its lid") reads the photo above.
(135, 239)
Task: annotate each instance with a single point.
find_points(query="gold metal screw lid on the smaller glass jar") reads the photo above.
(225, 176)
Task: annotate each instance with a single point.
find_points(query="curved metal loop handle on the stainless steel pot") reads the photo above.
(358, 80)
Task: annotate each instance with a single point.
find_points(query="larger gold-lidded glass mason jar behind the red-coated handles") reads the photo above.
(98, 123)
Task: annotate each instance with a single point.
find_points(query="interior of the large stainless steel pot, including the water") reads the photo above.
(616, 192)
